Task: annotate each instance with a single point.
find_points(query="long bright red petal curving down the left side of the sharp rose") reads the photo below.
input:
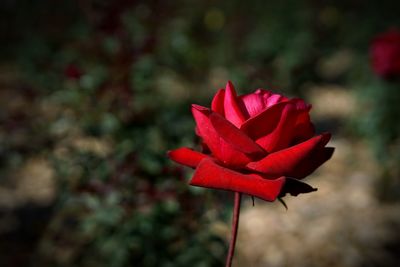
(221, 149)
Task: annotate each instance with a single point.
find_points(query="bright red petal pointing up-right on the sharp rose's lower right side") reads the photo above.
(286, 162)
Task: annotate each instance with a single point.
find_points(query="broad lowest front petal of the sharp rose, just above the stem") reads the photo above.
(211, 175)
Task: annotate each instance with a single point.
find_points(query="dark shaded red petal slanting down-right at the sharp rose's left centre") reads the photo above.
(234, 136)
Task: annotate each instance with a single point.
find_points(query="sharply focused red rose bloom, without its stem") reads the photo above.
(261, 144)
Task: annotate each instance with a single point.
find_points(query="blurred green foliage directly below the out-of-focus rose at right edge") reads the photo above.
(378, 121)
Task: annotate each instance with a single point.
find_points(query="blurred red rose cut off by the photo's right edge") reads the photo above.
(385, 54)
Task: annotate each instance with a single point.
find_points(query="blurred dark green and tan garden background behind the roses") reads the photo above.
(93, 93)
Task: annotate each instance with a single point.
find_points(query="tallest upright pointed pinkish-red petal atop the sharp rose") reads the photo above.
(233, 112)
